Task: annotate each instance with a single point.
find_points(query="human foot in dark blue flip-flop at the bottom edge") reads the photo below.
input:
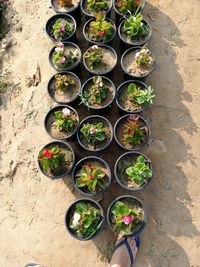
(125, 252)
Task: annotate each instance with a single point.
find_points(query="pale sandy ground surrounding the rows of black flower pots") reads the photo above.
(32, 207)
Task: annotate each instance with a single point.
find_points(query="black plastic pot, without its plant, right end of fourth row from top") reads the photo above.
(122, 87)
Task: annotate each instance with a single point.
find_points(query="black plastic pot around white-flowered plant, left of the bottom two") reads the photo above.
(70, 210)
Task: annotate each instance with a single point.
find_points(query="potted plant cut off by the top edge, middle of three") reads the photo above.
(91, 7)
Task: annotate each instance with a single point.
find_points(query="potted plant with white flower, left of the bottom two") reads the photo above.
(84, 219)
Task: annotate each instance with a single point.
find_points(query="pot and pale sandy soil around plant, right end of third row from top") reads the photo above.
(131, 68)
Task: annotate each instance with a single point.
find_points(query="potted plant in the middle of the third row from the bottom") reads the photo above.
(95, 133)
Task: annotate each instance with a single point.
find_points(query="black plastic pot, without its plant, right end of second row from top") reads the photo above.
(134, 42)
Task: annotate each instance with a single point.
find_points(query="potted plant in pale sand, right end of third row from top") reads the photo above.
(138, 62)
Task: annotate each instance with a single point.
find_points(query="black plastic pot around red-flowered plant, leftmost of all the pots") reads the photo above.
(62, 145)
